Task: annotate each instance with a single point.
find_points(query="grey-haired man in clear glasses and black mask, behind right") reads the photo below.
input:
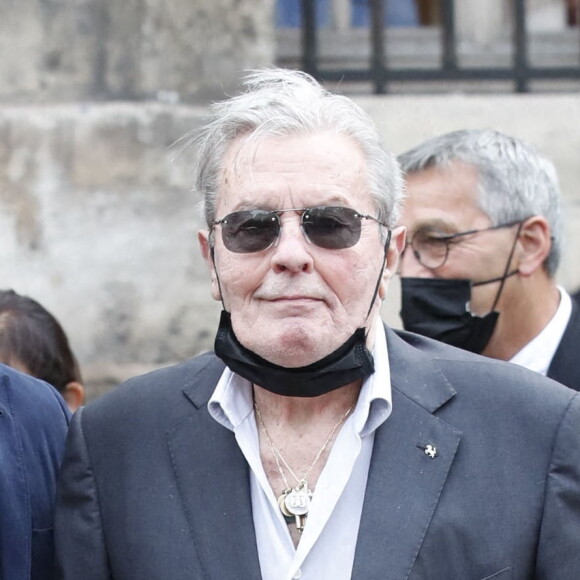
(484, 238)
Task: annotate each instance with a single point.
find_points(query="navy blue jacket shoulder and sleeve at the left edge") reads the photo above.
(33, 424)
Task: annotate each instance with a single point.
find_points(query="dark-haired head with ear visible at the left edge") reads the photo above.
(33, 341)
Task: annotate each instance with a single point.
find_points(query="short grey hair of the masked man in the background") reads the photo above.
(514, 181)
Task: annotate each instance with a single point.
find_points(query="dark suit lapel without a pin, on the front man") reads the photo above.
(213, 481)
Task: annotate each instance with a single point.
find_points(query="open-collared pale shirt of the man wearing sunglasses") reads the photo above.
(327, 545)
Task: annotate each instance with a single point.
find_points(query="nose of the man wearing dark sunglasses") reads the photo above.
(292, 250)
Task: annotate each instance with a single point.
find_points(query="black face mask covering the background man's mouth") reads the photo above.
(439, 309)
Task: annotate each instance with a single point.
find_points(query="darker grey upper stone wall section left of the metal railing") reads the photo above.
(187, 50)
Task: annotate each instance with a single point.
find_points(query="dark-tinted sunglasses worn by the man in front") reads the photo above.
(329, 227)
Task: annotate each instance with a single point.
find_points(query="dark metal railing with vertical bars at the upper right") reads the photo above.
(521, 72)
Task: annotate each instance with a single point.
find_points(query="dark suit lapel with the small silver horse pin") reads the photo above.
(405, 483)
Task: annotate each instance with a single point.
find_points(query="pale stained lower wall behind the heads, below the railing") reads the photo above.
(98, 221)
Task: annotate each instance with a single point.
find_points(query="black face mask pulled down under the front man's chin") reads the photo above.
(350, 362)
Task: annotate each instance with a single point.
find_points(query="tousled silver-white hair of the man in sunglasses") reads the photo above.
(280, 102)
